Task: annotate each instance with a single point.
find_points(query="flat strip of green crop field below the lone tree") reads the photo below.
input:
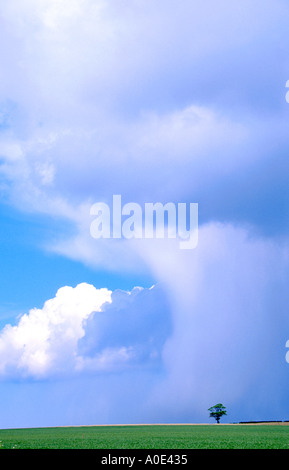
(149, 437)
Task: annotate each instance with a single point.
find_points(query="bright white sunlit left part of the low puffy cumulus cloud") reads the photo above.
(45, 340)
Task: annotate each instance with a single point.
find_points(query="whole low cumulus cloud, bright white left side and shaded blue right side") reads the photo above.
(86, 329)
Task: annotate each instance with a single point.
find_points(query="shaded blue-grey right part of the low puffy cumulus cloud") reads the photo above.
(138, 321)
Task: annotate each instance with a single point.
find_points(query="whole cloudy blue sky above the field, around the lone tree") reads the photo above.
(168, 101)
